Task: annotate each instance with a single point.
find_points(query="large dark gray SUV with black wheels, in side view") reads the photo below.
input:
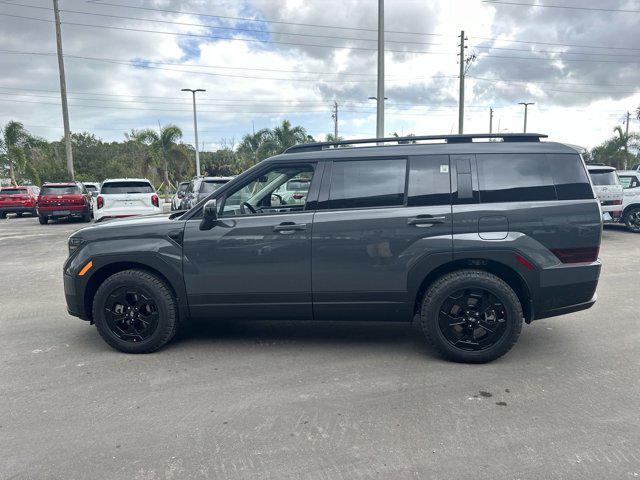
(469, 238)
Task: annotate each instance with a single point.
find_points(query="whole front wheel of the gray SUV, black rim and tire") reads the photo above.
(135, 312)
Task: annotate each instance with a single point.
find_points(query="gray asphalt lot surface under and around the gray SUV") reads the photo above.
(312, 401)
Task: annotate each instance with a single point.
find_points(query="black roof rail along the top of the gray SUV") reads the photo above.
(465, 138)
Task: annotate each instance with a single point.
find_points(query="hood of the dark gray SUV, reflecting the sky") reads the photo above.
(143, 226)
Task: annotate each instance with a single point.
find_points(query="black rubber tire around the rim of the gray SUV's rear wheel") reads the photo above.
(444, 289)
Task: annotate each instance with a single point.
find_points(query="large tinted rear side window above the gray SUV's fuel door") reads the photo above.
(514, 178)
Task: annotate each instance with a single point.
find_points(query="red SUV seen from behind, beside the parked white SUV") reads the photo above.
(64, 200)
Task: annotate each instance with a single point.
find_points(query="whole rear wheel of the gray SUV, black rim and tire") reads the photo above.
(471, 316)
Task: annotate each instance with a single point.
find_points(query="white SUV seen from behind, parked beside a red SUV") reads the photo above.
(126, 197)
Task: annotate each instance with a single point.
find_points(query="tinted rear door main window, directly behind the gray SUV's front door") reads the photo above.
(369, 183)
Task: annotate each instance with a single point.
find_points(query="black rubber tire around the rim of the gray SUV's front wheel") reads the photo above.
(151, 287)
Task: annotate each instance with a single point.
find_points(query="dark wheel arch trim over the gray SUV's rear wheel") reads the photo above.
(499, 269)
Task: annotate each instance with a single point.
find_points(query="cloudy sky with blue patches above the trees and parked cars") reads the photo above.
(262, 61)
